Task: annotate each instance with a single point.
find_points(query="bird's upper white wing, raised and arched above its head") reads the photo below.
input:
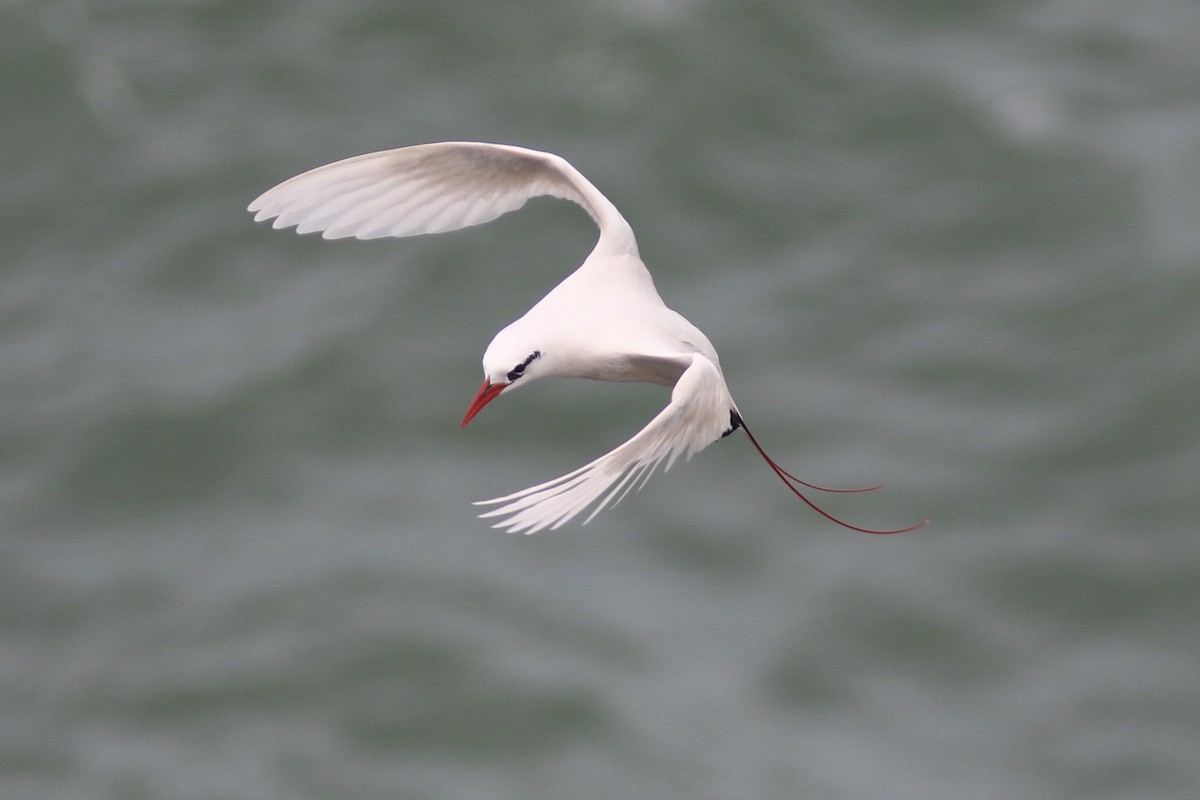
(429, 189)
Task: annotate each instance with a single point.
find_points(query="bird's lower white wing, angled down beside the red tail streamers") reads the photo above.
(698, 416)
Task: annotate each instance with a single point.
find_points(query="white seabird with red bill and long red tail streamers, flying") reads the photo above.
(603, 322)
